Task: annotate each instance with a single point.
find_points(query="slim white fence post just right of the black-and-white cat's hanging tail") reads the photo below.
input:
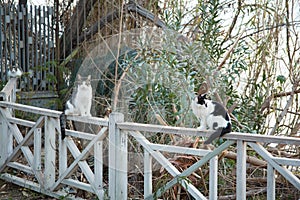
(241, 170)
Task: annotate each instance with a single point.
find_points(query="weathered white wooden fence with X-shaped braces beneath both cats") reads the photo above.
(49, 162)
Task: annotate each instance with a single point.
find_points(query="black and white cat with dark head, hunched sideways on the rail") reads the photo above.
(212, 116)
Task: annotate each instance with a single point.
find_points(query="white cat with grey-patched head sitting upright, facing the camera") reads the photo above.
(82, 98)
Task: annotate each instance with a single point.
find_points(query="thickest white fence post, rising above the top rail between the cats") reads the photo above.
(117, 158)
